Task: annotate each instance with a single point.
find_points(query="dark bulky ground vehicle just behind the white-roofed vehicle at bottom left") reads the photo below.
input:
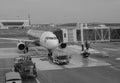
(25, 67)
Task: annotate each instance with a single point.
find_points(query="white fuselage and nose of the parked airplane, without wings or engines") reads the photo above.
(46, 39)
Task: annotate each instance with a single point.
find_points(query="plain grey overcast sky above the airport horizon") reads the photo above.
(61, 11)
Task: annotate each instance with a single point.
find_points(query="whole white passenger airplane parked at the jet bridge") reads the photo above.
(45, 39)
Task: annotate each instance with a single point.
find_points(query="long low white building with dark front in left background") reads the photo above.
(6, 24)
